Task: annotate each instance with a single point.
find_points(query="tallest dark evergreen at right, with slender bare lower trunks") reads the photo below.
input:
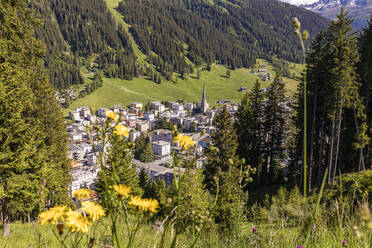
(336, 121)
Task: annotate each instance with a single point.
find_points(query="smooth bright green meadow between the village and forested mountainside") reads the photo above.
(118, 91)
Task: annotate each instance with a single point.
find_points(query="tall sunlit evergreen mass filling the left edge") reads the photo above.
(34, 170)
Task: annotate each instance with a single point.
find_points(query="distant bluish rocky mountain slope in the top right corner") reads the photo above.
(360, 9)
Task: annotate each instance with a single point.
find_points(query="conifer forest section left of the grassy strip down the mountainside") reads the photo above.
(73, 30)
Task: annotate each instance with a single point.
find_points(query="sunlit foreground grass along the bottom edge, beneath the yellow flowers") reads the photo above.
(268, 235)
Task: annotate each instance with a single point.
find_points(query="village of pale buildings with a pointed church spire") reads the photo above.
(195, 120)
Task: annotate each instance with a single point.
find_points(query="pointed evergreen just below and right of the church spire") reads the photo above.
(222, 171)
